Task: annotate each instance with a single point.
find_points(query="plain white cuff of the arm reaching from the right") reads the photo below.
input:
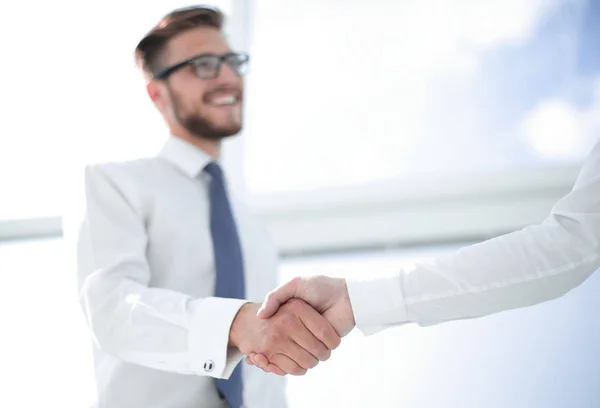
(376, 303)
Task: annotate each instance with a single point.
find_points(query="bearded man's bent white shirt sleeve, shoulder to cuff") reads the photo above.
(130, 320)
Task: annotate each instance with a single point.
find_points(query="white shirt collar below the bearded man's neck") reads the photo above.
(184, 155)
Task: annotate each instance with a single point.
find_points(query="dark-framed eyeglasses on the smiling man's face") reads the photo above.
(207, 66)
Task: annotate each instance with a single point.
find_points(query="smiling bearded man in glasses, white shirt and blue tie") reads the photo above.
(166, 259)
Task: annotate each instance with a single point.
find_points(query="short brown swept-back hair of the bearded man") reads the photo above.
(149, 51)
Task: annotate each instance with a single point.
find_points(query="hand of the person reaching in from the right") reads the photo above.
(328, 296)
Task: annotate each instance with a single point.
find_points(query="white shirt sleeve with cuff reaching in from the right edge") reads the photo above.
(535, 264)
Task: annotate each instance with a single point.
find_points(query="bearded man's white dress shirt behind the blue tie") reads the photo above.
(146, 283)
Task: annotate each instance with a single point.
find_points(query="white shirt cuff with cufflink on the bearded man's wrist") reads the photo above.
(209, 337)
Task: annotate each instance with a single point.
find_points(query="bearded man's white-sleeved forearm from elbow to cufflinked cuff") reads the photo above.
(159, 328)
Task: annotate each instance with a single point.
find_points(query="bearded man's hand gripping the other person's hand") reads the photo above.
(295, 338)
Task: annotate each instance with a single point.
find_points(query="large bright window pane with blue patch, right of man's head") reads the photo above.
(348, 93)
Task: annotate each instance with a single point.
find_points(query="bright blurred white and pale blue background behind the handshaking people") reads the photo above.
(377, 133)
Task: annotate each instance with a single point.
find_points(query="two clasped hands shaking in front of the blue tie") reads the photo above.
(297, 326)
